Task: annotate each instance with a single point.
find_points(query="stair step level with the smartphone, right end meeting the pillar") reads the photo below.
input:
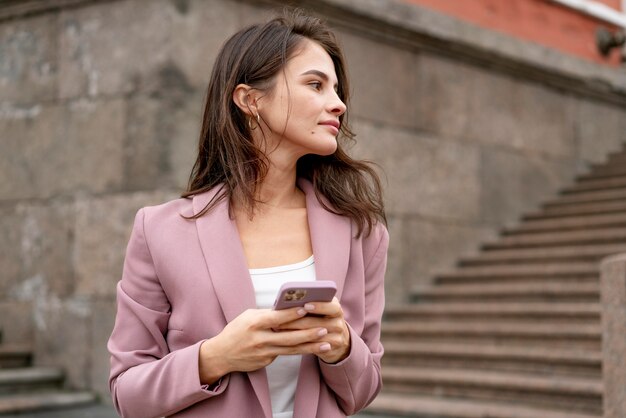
(544, 290)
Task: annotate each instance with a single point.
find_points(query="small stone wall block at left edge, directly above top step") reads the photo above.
(16, 322)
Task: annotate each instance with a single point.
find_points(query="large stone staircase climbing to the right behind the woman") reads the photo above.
(514, 332)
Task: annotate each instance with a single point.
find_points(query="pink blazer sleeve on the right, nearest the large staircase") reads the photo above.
(356, 380)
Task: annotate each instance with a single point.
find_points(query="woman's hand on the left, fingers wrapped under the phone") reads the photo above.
(249, 343)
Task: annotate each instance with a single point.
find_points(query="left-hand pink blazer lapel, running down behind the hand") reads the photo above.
(228, 268)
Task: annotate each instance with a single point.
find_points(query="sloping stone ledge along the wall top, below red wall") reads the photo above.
(419, 28)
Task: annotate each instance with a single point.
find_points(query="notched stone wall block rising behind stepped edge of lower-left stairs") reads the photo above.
(62, 338)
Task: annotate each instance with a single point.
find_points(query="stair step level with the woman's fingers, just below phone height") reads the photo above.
(496, 312)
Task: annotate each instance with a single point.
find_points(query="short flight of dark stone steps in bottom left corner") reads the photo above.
(24, 388)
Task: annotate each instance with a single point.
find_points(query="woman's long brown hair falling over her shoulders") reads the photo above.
(229, 158)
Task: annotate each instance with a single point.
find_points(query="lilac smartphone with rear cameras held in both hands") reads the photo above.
(292, 294)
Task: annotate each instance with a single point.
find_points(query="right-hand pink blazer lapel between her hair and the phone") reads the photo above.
(331, 236)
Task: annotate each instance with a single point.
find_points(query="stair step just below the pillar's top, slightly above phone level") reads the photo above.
(552, 270)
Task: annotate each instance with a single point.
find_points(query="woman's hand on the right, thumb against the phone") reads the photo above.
(335, 345)
